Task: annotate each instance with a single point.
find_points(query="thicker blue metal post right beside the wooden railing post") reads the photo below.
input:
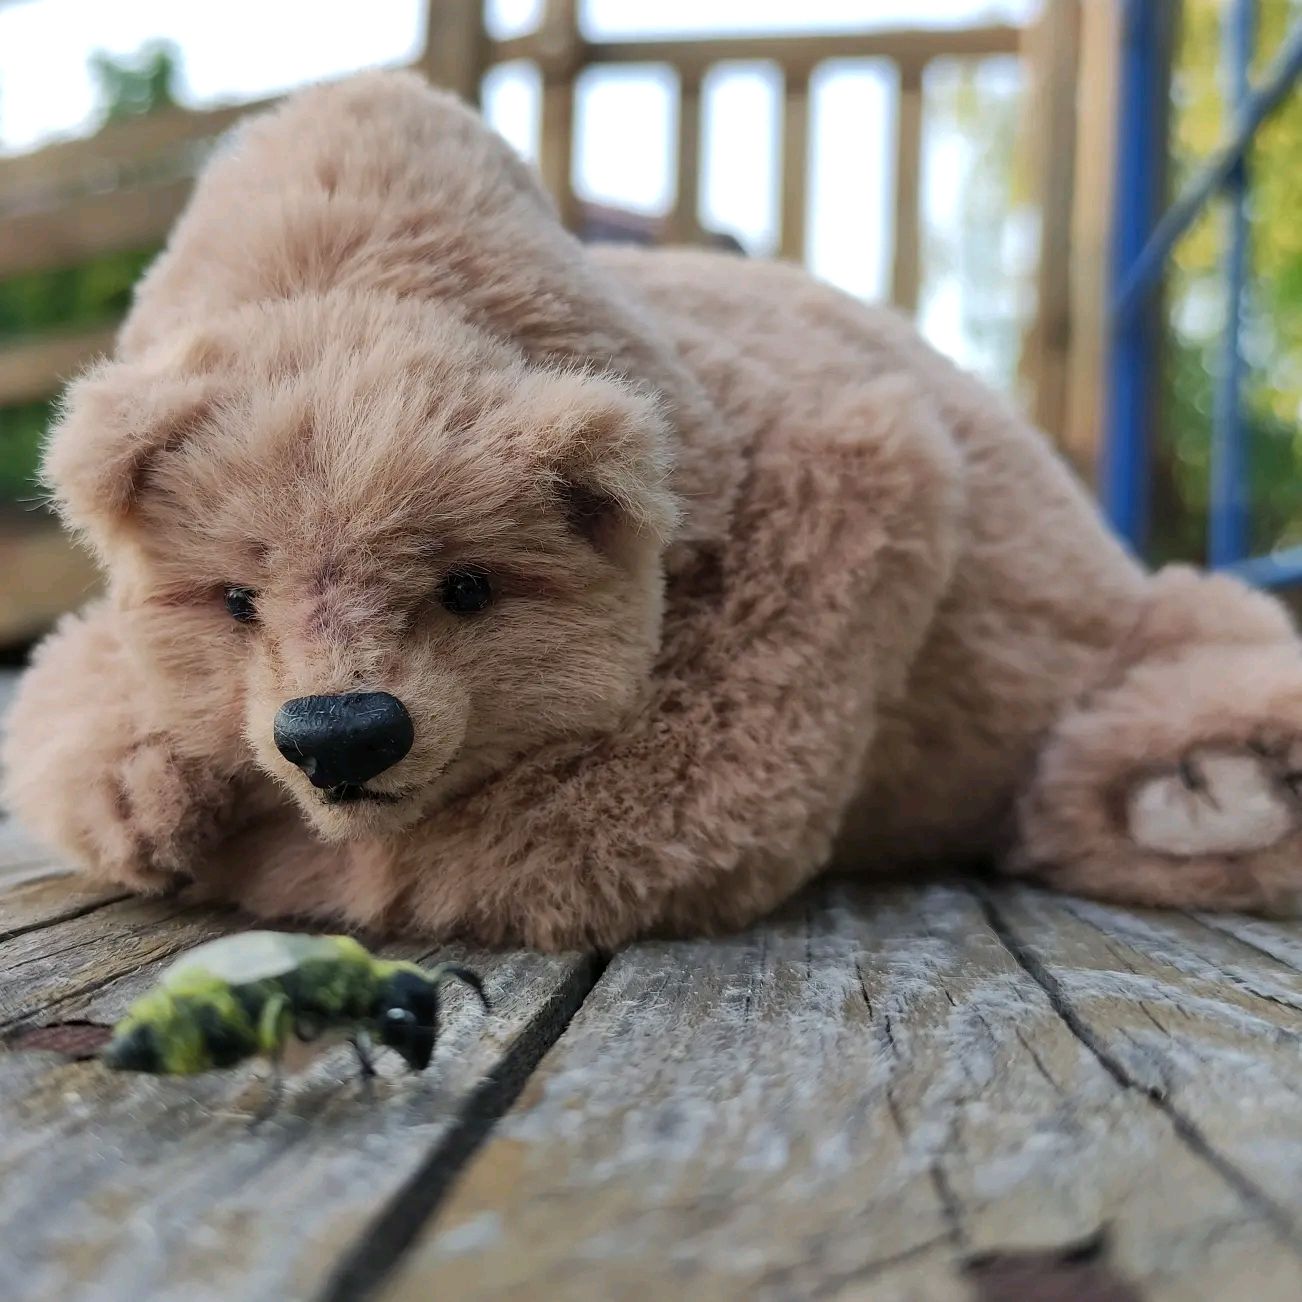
(1133, 360)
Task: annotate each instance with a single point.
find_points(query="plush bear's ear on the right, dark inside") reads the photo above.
(602, 447)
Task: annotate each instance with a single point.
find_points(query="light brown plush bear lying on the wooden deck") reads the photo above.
(467, 581)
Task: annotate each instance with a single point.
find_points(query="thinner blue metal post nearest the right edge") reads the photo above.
(1231, 492)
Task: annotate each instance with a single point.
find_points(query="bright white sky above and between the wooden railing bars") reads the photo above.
(240, 50)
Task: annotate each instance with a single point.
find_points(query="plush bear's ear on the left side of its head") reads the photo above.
(114, 422)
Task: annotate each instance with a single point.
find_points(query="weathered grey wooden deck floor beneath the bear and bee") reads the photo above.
(945, 1092)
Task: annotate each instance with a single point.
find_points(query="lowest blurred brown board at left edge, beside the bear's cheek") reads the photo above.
(46, 576)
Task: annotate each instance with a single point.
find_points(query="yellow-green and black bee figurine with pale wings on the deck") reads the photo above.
(252, 994)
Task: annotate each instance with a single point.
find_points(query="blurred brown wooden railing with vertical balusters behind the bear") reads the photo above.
(124, 188)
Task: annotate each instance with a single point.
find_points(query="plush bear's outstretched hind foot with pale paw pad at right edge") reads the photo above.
(1179, 781)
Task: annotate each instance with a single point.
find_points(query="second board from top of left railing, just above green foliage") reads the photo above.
(89, 226)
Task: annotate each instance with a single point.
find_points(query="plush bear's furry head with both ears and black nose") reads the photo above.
(372, 547)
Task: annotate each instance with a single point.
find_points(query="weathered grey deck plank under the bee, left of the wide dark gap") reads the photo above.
(123, 1185)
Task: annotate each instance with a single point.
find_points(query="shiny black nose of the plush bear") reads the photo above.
(344, 740)
